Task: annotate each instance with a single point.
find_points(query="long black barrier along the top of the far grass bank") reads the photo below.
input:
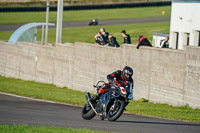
(85, 7)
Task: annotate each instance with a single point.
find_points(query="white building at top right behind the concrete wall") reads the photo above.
(185, 23)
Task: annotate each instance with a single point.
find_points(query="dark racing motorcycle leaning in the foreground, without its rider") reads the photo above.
(109, 105)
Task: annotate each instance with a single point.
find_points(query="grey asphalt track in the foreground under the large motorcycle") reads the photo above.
(18, 110)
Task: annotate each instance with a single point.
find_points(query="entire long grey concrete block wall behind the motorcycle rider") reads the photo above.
(160, 75)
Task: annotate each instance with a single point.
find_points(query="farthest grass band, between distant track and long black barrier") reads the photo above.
(81, 15)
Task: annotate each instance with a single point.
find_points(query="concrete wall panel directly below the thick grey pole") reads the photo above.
(63, 65)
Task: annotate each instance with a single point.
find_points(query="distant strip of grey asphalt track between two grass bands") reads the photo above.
(7, 27)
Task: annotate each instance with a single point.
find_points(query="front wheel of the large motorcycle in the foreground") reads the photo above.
(116, 110)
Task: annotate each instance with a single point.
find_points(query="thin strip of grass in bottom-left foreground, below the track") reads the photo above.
(40, 129)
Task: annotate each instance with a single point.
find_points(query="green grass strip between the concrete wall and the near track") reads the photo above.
(65, 95)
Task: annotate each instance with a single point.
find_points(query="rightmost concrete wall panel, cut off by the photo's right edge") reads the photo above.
(192, 77)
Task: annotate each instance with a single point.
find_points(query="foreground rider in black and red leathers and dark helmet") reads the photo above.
(119, 78)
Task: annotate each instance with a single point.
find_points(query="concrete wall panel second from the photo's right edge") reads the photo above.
(167, 76)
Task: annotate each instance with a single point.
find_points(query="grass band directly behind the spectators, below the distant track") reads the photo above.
(86, 34)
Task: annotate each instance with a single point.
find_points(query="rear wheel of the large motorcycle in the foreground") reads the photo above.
(87, 112)
